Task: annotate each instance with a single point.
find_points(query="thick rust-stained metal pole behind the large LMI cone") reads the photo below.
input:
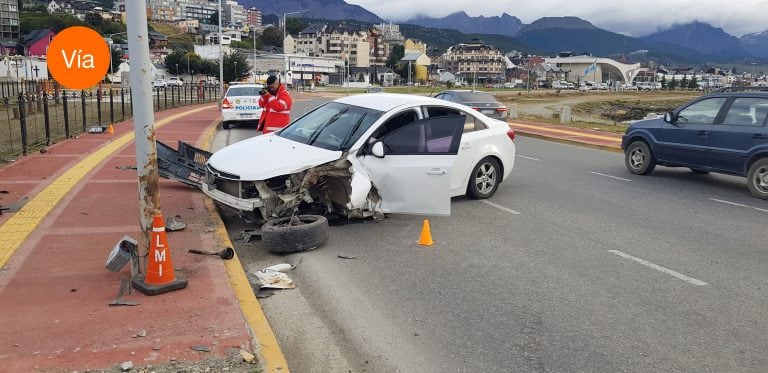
(143, 117)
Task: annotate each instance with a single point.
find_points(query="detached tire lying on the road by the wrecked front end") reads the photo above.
(282, 236)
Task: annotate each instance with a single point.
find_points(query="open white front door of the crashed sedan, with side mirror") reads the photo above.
(411, 166)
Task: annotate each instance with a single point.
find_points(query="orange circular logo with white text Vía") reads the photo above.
(78, 57)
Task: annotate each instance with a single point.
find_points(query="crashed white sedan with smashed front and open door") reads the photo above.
(364, 155)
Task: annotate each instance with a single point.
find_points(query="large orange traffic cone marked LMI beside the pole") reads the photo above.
(159, 277)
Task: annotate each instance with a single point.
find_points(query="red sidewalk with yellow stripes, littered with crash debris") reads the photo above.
(82, 198)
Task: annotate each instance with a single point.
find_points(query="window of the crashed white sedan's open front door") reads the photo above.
(438, 135)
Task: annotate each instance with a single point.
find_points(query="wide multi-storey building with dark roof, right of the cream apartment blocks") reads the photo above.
(475, 60)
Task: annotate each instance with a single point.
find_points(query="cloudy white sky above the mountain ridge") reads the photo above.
(633, 18)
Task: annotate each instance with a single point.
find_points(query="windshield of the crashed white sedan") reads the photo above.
(333, 126)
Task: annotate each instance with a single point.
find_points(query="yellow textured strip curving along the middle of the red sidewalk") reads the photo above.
(18, 227)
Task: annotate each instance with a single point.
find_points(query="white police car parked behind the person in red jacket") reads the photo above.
(241, 104)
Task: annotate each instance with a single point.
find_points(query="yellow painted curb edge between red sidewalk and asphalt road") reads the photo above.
(269, 349)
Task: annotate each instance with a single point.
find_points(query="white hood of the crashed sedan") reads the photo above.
(267, 156)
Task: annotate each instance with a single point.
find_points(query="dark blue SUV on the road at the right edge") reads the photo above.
(722, 132)
